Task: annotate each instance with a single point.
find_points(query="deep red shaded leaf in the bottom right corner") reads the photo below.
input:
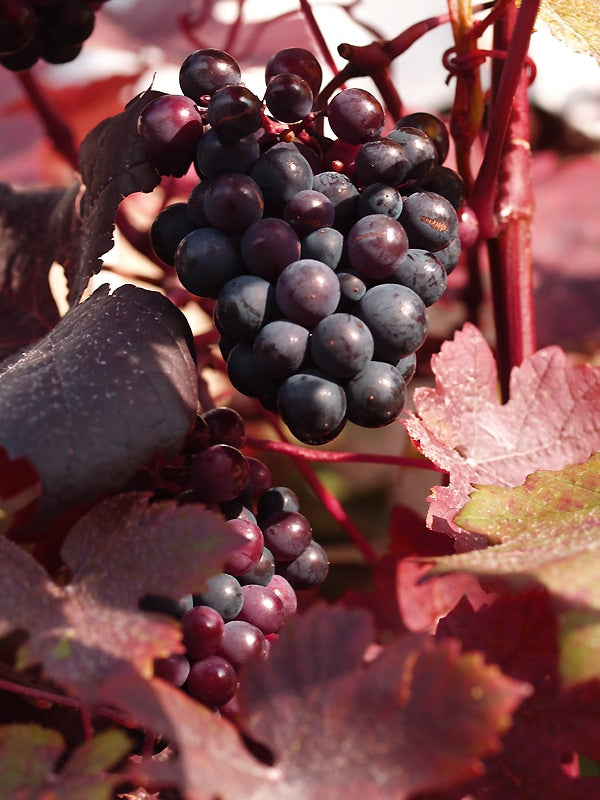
(518, 633)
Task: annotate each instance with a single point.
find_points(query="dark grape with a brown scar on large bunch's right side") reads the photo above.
(430, 221)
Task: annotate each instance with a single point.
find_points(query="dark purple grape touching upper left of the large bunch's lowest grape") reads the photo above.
(281, 347)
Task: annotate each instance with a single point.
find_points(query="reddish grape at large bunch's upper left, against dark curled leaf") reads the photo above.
(171, 127)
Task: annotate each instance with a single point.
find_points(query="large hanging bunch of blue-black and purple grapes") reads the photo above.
(322, 253)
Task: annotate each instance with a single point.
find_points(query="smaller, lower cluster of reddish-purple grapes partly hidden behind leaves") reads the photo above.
(243, 607)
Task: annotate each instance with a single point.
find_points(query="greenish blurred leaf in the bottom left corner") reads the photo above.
(29, 754)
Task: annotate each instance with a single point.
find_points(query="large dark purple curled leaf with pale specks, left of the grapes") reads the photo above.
(111, 385)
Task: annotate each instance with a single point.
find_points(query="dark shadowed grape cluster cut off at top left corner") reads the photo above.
(54, 30)
